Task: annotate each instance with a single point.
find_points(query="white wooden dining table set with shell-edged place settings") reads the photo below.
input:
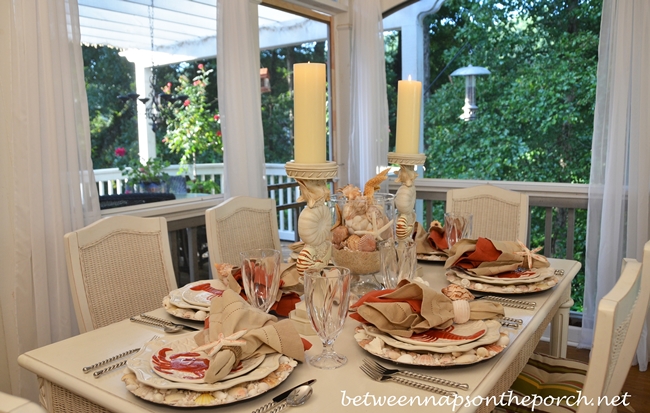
(59, 365)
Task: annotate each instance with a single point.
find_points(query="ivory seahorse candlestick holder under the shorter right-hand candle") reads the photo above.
(405, 196)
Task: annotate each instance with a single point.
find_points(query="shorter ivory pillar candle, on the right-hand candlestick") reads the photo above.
(409, 97)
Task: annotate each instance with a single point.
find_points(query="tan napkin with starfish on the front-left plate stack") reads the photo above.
(263, 334)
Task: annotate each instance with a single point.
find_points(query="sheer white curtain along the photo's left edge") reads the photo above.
(46, 177)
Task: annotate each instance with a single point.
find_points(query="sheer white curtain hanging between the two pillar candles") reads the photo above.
(368, 152)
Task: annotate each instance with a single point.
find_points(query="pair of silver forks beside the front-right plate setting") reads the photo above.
(380, 373)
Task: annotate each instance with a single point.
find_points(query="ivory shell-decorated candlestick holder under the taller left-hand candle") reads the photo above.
(314, 222)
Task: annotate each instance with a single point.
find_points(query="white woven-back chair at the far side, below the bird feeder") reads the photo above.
(498, 214)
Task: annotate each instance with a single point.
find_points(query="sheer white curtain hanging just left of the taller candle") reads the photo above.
(238, 78)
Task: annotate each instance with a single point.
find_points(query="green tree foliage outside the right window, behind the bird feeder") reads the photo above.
(536, 108)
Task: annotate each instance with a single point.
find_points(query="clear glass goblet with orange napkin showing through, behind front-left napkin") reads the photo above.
(260, 270)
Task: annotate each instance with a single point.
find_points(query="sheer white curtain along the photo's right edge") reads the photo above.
(619, 190)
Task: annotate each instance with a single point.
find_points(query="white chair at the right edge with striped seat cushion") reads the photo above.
(619, 323)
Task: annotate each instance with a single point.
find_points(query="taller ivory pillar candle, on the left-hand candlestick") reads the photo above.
(309, 112)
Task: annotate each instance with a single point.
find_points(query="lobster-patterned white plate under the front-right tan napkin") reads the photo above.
(453, 335)
